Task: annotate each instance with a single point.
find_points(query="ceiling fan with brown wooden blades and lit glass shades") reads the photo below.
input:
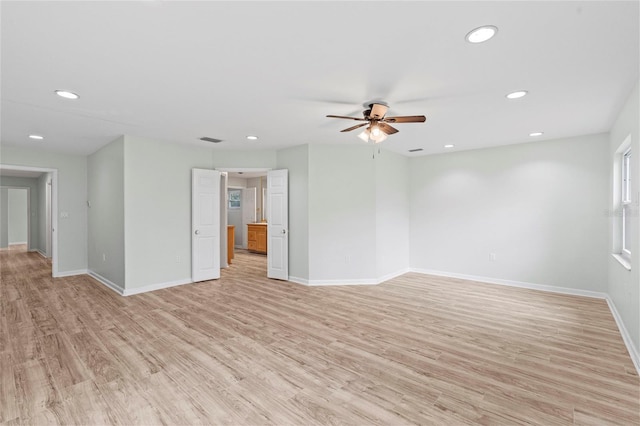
(378, 128)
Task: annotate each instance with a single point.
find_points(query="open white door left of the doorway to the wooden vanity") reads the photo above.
(205, 225)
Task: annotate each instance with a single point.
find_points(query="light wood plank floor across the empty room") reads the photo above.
(245, 350)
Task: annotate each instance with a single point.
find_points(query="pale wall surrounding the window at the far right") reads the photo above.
(624, 285)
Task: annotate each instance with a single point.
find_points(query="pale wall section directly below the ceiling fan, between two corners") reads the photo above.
(342, 214)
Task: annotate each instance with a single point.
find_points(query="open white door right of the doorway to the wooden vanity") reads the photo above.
(278, 224)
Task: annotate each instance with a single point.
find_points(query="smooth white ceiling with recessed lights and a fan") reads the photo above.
(182, 70)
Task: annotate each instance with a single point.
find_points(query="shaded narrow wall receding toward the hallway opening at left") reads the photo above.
(106, 227)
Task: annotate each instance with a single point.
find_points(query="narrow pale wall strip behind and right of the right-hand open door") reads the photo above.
(296, 161)
